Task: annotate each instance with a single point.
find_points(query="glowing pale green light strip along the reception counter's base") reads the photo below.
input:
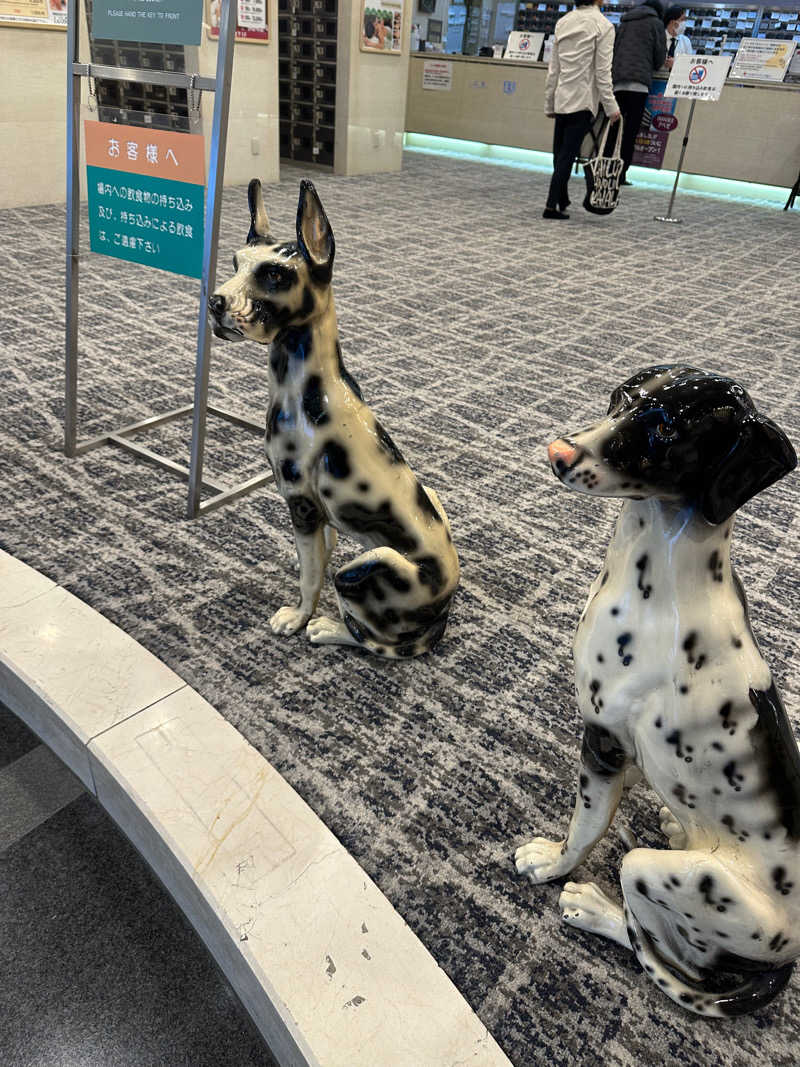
(645, 178)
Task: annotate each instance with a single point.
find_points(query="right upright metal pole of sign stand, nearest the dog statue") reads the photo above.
(214, 204)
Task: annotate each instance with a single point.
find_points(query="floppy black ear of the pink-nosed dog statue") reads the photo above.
(760, 457)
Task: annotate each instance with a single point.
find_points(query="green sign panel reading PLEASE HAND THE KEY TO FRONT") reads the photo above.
(157, 22)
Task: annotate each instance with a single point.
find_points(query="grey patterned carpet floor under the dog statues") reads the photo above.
(478, 332)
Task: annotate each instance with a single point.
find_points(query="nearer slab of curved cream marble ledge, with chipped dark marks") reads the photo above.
(261, 873)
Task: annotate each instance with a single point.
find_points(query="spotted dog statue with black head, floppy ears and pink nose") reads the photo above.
(670, 680)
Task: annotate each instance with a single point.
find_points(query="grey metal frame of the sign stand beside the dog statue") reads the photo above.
(221, 88)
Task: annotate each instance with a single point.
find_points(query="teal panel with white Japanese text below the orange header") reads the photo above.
(147, 220)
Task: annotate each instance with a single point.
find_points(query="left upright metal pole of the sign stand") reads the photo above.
(73, 231)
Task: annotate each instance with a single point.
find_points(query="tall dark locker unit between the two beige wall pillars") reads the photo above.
(308, 51)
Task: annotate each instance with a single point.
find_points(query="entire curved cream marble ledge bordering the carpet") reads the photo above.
(327, 968)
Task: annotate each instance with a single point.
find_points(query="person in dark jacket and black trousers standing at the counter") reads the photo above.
(641, 50)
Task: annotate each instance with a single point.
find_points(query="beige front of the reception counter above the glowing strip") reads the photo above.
(751, 134)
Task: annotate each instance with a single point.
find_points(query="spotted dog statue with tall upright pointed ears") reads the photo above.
(334, 464)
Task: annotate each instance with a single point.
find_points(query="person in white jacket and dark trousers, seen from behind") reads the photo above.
(579, 82)
